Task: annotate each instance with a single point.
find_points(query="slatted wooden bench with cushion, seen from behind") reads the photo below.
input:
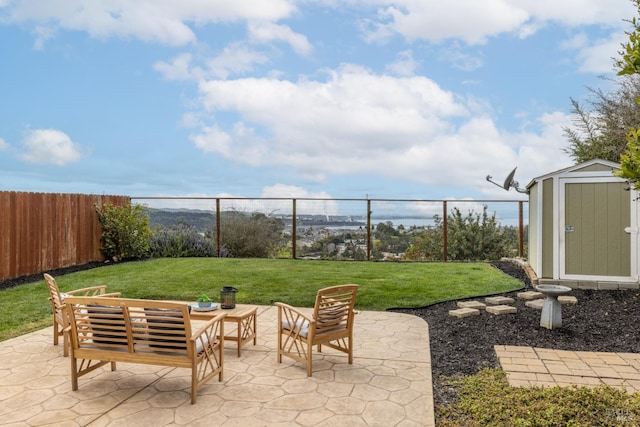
(110, 330)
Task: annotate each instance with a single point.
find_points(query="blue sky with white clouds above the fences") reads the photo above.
(406, 99)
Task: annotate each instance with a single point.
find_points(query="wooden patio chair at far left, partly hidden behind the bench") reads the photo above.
(60, 316)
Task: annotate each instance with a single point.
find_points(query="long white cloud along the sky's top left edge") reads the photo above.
(159, 21)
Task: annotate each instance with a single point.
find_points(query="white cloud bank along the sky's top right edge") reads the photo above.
(436, 22)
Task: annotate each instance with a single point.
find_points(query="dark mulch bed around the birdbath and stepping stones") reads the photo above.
(601, 321)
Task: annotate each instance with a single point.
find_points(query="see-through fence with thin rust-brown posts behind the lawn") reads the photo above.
(349, 225)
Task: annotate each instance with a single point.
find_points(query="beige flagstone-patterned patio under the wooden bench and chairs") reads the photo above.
(389, 384)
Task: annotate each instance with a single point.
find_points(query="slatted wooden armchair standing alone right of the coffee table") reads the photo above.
(331, 324)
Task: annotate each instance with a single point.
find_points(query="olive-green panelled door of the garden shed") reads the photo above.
(596, 243)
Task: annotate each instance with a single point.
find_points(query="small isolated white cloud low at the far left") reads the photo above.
(49, 146)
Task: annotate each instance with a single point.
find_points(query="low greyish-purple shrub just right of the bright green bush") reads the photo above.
(180, 241)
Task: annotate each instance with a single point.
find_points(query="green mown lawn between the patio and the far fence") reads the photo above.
(260, 281)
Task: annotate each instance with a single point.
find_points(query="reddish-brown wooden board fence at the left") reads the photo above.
(44, 231)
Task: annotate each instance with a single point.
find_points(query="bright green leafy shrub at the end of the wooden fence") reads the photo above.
(125, 231)
